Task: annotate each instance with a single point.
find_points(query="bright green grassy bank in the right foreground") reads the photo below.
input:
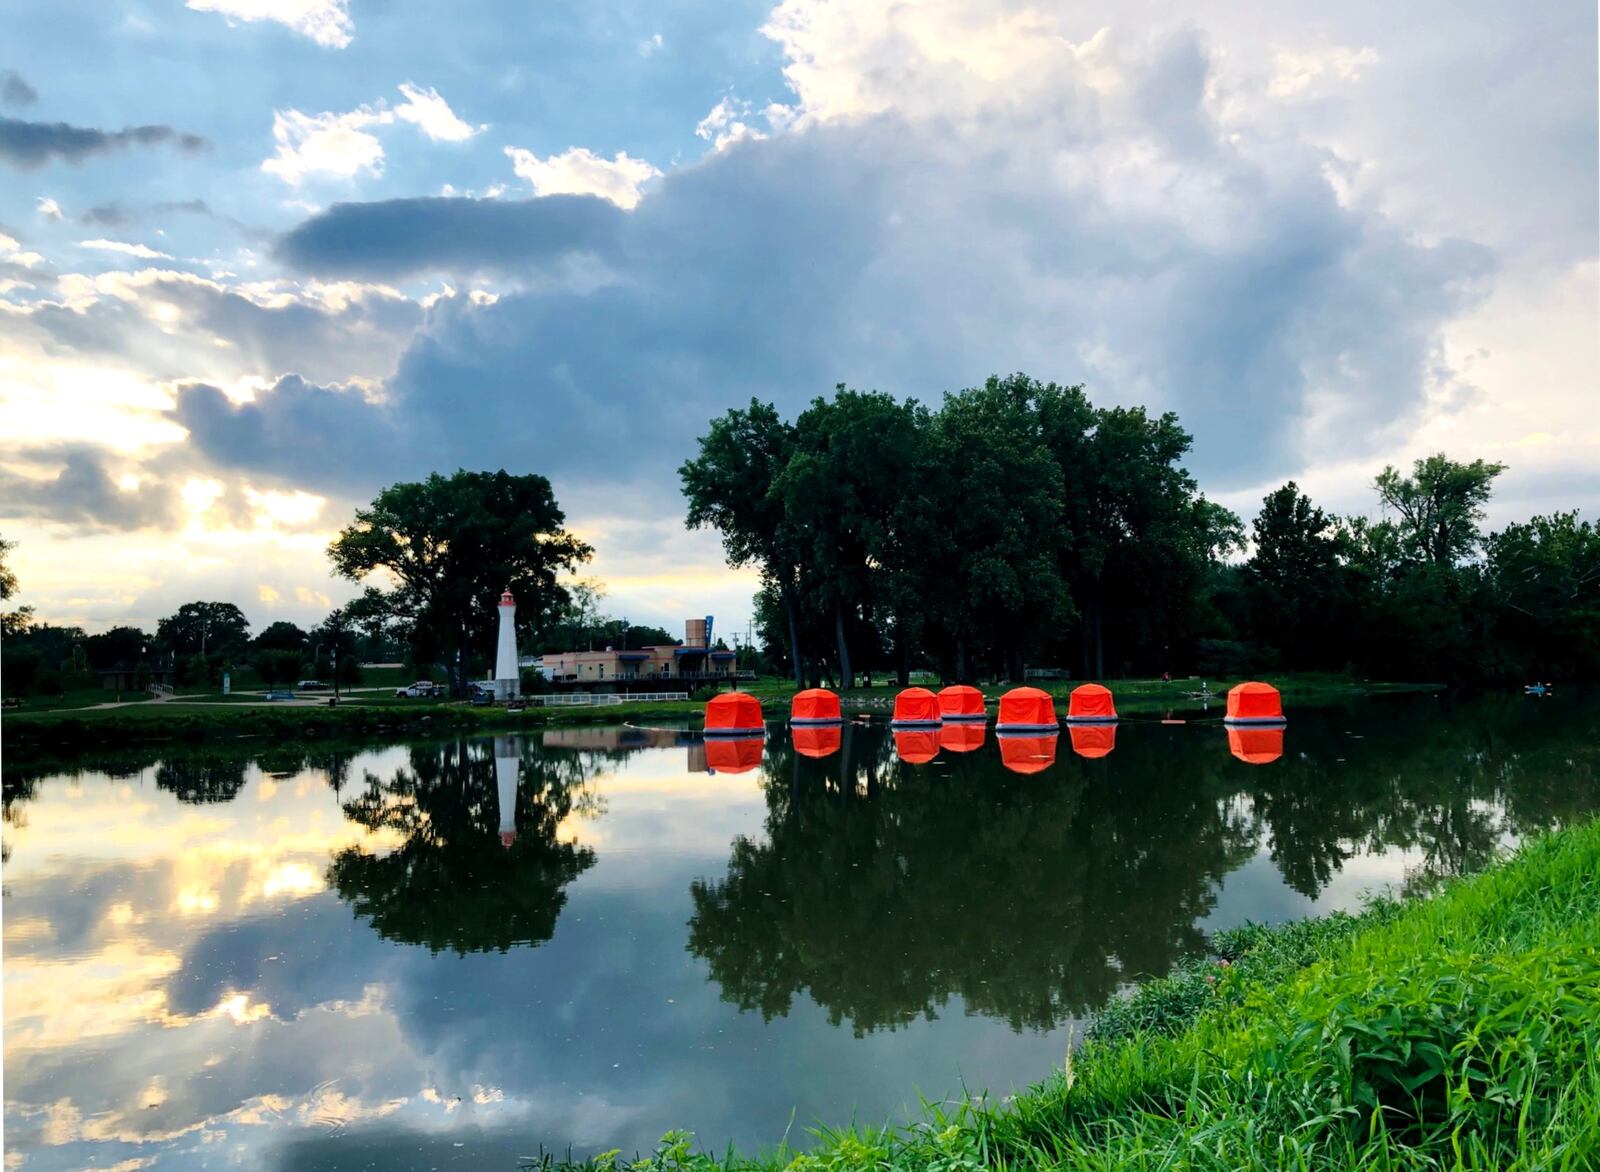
(1454, 1032)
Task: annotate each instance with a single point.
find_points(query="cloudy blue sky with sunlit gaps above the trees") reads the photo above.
(260, 259)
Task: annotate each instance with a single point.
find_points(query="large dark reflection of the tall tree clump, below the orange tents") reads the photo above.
(884, 889)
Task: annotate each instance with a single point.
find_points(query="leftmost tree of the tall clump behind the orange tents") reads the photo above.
(730, 486)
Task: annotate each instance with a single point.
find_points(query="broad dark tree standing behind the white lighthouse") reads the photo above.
(452, 545)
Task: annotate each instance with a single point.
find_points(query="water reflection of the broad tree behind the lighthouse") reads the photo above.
(458, 883)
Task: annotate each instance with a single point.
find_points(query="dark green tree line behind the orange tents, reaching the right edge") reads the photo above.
(1018, 524)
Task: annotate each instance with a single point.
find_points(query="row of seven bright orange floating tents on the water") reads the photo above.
(1022, 710)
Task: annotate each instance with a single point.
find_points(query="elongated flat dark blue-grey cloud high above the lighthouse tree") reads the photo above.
(401, 238)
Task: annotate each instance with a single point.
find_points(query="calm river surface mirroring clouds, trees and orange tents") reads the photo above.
(447, 955)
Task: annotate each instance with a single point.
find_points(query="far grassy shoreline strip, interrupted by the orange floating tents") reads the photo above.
(196, 723)
